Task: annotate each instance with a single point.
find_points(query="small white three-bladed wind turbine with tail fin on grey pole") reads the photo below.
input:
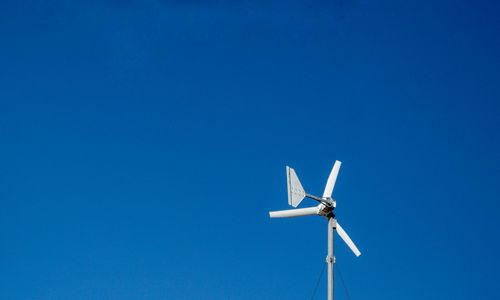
(296, 194)
